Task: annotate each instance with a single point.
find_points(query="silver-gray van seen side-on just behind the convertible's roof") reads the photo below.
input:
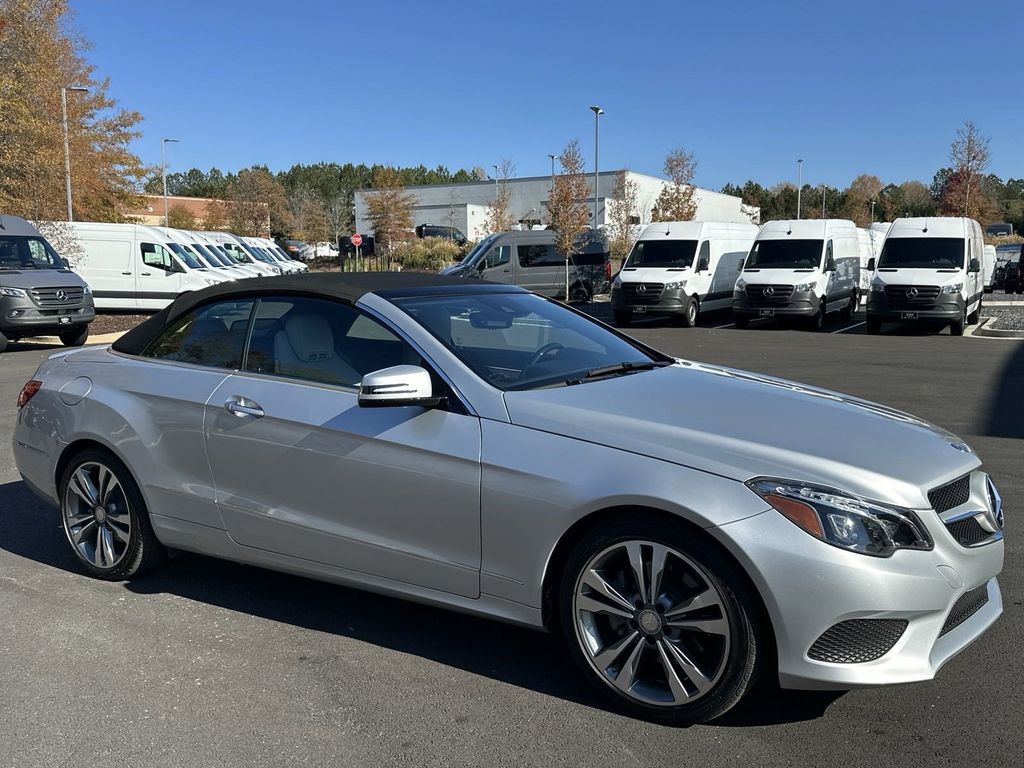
(530, 260)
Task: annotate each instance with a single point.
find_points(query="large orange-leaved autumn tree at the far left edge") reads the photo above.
(39, 56)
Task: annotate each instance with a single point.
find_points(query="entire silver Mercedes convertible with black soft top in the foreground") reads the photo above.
(685, 528)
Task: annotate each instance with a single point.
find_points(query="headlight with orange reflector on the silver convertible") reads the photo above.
(842, 520)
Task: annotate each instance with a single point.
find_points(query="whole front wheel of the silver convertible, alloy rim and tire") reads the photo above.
(660, 621)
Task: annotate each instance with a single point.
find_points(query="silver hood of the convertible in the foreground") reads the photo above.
(743, 425)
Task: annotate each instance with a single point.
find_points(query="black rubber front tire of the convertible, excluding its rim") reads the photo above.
(743, 663)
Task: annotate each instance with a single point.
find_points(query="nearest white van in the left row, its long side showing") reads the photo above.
(132, 267)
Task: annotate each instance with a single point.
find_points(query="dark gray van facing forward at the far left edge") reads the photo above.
(39, 295)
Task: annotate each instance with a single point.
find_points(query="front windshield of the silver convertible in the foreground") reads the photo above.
(523, 342)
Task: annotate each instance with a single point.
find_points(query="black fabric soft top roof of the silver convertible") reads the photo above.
(348, 287)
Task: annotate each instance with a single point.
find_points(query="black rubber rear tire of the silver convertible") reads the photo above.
(143, 551)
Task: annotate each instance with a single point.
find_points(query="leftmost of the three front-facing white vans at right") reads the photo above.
(681, 269)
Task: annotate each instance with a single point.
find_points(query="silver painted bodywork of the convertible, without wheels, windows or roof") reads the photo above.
(471, 519)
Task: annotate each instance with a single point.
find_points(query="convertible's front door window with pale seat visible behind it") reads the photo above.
(320, 340)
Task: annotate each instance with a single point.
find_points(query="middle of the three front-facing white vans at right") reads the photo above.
(803, 269)
